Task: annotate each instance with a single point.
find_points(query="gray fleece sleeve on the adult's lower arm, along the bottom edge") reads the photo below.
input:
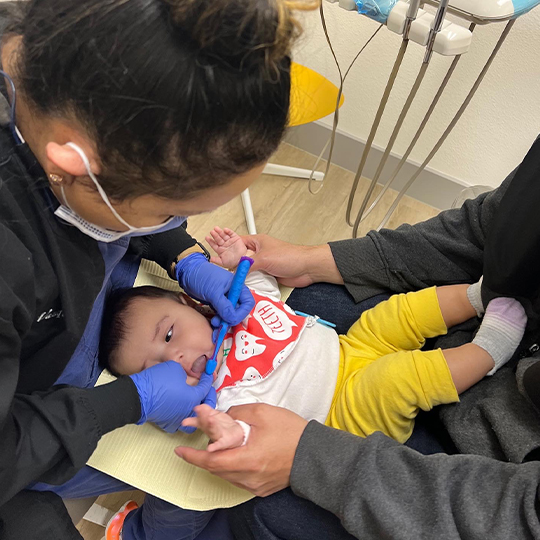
(381, 489)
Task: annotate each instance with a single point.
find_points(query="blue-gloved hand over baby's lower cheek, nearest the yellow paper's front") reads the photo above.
(166, 398)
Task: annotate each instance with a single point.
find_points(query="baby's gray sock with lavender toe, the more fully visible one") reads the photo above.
(501, 330)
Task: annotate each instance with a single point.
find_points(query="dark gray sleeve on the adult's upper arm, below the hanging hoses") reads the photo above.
(443, 250)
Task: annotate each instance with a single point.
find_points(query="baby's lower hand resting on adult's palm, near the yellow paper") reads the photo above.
(224, 432)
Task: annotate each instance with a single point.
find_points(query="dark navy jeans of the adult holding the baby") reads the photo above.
(284, 516)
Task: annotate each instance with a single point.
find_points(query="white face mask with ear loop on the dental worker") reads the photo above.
(101, 234)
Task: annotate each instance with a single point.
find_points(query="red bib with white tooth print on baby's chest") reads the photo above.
(260, 343)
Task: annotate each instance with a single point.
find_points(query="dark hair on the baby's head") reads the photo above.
(113, 326)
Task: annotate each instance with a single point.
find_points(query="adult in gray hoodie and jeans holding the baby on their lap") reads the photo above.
(342, 486)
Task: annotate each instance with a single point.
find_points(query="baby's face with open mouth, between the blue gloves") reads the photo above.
(161, 329)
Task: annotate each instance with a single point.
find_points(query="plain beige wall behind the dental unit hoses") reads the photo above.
(495, 132)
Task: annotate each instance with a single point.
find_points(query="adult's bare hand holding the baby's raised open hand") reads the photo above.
(293, 265)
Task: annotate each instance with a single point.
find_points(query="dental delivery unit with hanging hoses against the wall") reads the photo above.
(437, 34)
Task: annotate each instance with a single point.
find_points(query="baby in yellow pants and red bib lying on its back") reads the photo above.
(374, 378)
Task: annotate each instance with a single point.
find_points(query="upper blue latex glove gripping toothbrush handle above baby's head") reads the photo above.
(210, 283)
